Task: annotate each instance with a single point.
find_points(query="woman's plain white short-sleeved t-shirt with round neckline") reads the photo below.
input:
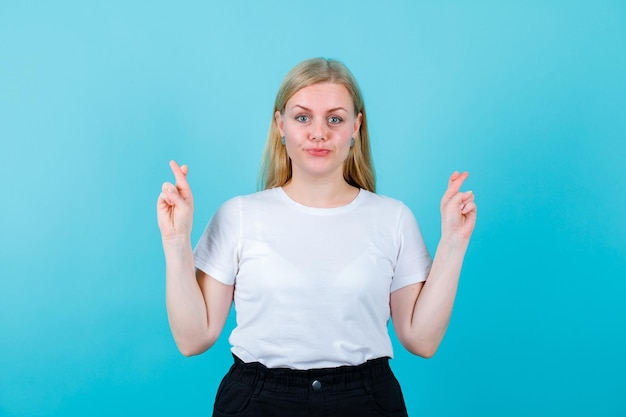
(312, 285)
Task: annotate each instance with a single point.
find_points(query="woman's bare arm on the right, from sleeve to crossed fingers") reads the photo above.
(421, 312)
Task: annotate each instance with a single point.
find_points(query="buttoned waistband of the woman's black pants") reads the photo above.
(342, 378)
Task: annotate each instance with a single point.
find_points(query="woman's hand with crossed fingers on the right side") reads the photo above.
(458, 209)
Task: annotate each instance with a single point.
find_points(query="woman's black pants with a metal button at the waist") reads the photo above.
(367, 390)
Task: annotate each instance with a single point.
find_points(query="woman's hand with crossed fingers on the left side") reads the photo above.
(175, 206)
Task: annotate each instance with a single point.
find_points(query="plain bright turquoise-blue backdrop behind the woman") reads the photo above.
(96, 97)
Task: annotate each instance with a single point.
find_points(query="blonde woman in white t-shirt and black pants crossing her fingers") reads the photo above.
(316, 264)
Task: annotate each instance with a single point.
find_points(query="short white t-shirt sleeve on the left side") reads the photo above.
(216, 253)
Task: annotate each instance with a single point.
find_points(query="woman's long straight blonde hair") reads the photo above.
(276, 165)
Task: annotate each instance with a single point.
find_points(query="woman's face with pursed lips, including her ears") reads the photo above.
(318, 125)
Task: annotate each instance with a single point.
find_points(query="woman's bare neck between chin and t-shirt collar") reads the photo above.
(320, 193)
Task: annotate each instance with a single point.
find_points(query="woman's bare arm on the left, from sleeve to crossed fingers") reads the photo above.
(197, 304)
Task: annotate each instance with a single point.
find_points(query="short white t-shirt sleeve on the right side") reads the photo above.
(414, 260)
